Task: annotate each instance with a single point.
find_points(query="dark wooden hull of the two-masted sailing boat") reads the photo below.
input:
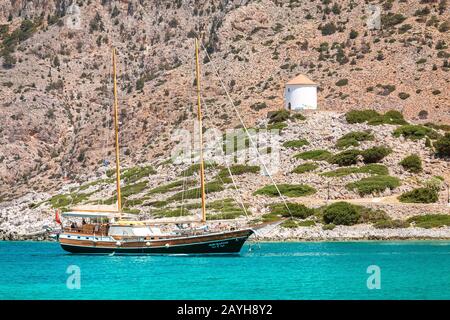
(217, 243)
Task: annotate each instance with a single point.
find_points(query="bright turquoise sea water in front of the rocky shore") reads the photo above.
(311, 270)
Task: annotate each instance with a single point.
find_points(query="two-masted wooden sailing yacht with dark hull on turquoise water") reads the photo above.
(106, 231)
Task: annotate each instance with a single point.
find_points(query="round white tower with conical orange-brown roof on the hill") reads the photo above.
(300, 93)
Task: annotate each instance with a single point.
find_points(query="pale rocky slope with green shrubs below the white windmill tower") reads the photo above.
(313, 160)
